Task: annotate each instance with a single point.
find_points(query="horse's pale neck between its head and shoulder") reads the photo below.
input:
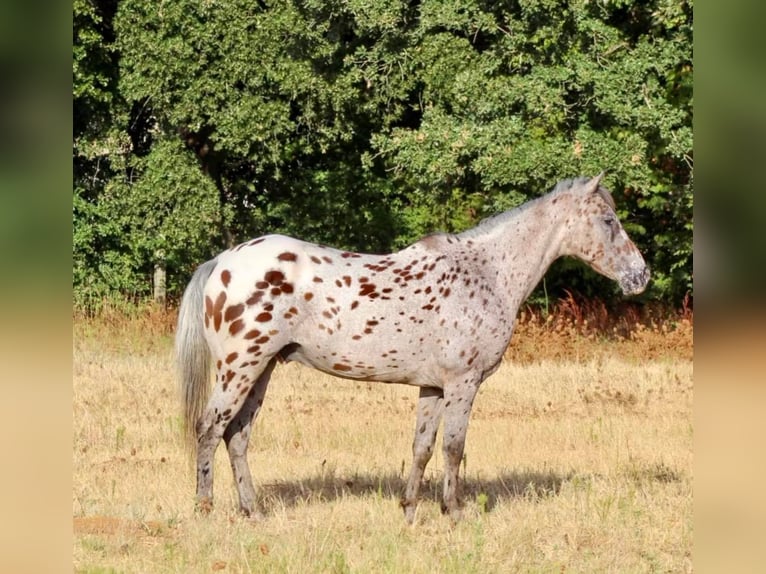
(527, 241)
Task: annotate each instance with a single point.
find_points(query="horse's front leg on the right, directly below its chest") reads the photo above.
(457, 411)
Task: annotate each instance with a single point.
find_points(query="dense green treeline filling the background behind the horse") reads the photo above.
(365, 124)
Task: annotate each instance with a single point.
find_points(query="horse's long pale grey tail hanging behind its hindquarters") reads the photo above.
(192, 353)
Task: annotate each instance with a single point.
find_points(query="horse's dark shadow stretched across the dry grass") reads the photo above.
(327, 487)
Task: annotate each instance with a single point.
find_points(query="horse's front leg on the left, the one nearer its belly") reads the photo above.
(430, 407)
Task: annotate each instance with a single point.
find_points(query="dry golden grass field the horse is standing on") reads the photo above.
(576, 461)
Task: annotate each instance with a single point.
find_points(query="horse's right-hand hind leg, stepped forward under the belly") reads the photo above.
(237, 436)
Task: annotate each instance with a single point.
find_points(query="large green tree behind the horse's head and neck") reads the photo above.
(518, 95)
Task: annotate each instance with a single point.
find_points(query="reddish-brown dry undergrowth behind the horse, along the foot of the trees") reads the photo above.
(573, 330)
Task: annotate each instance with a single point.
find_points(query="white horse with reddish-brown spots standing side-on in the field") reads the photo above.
(438, 315)
